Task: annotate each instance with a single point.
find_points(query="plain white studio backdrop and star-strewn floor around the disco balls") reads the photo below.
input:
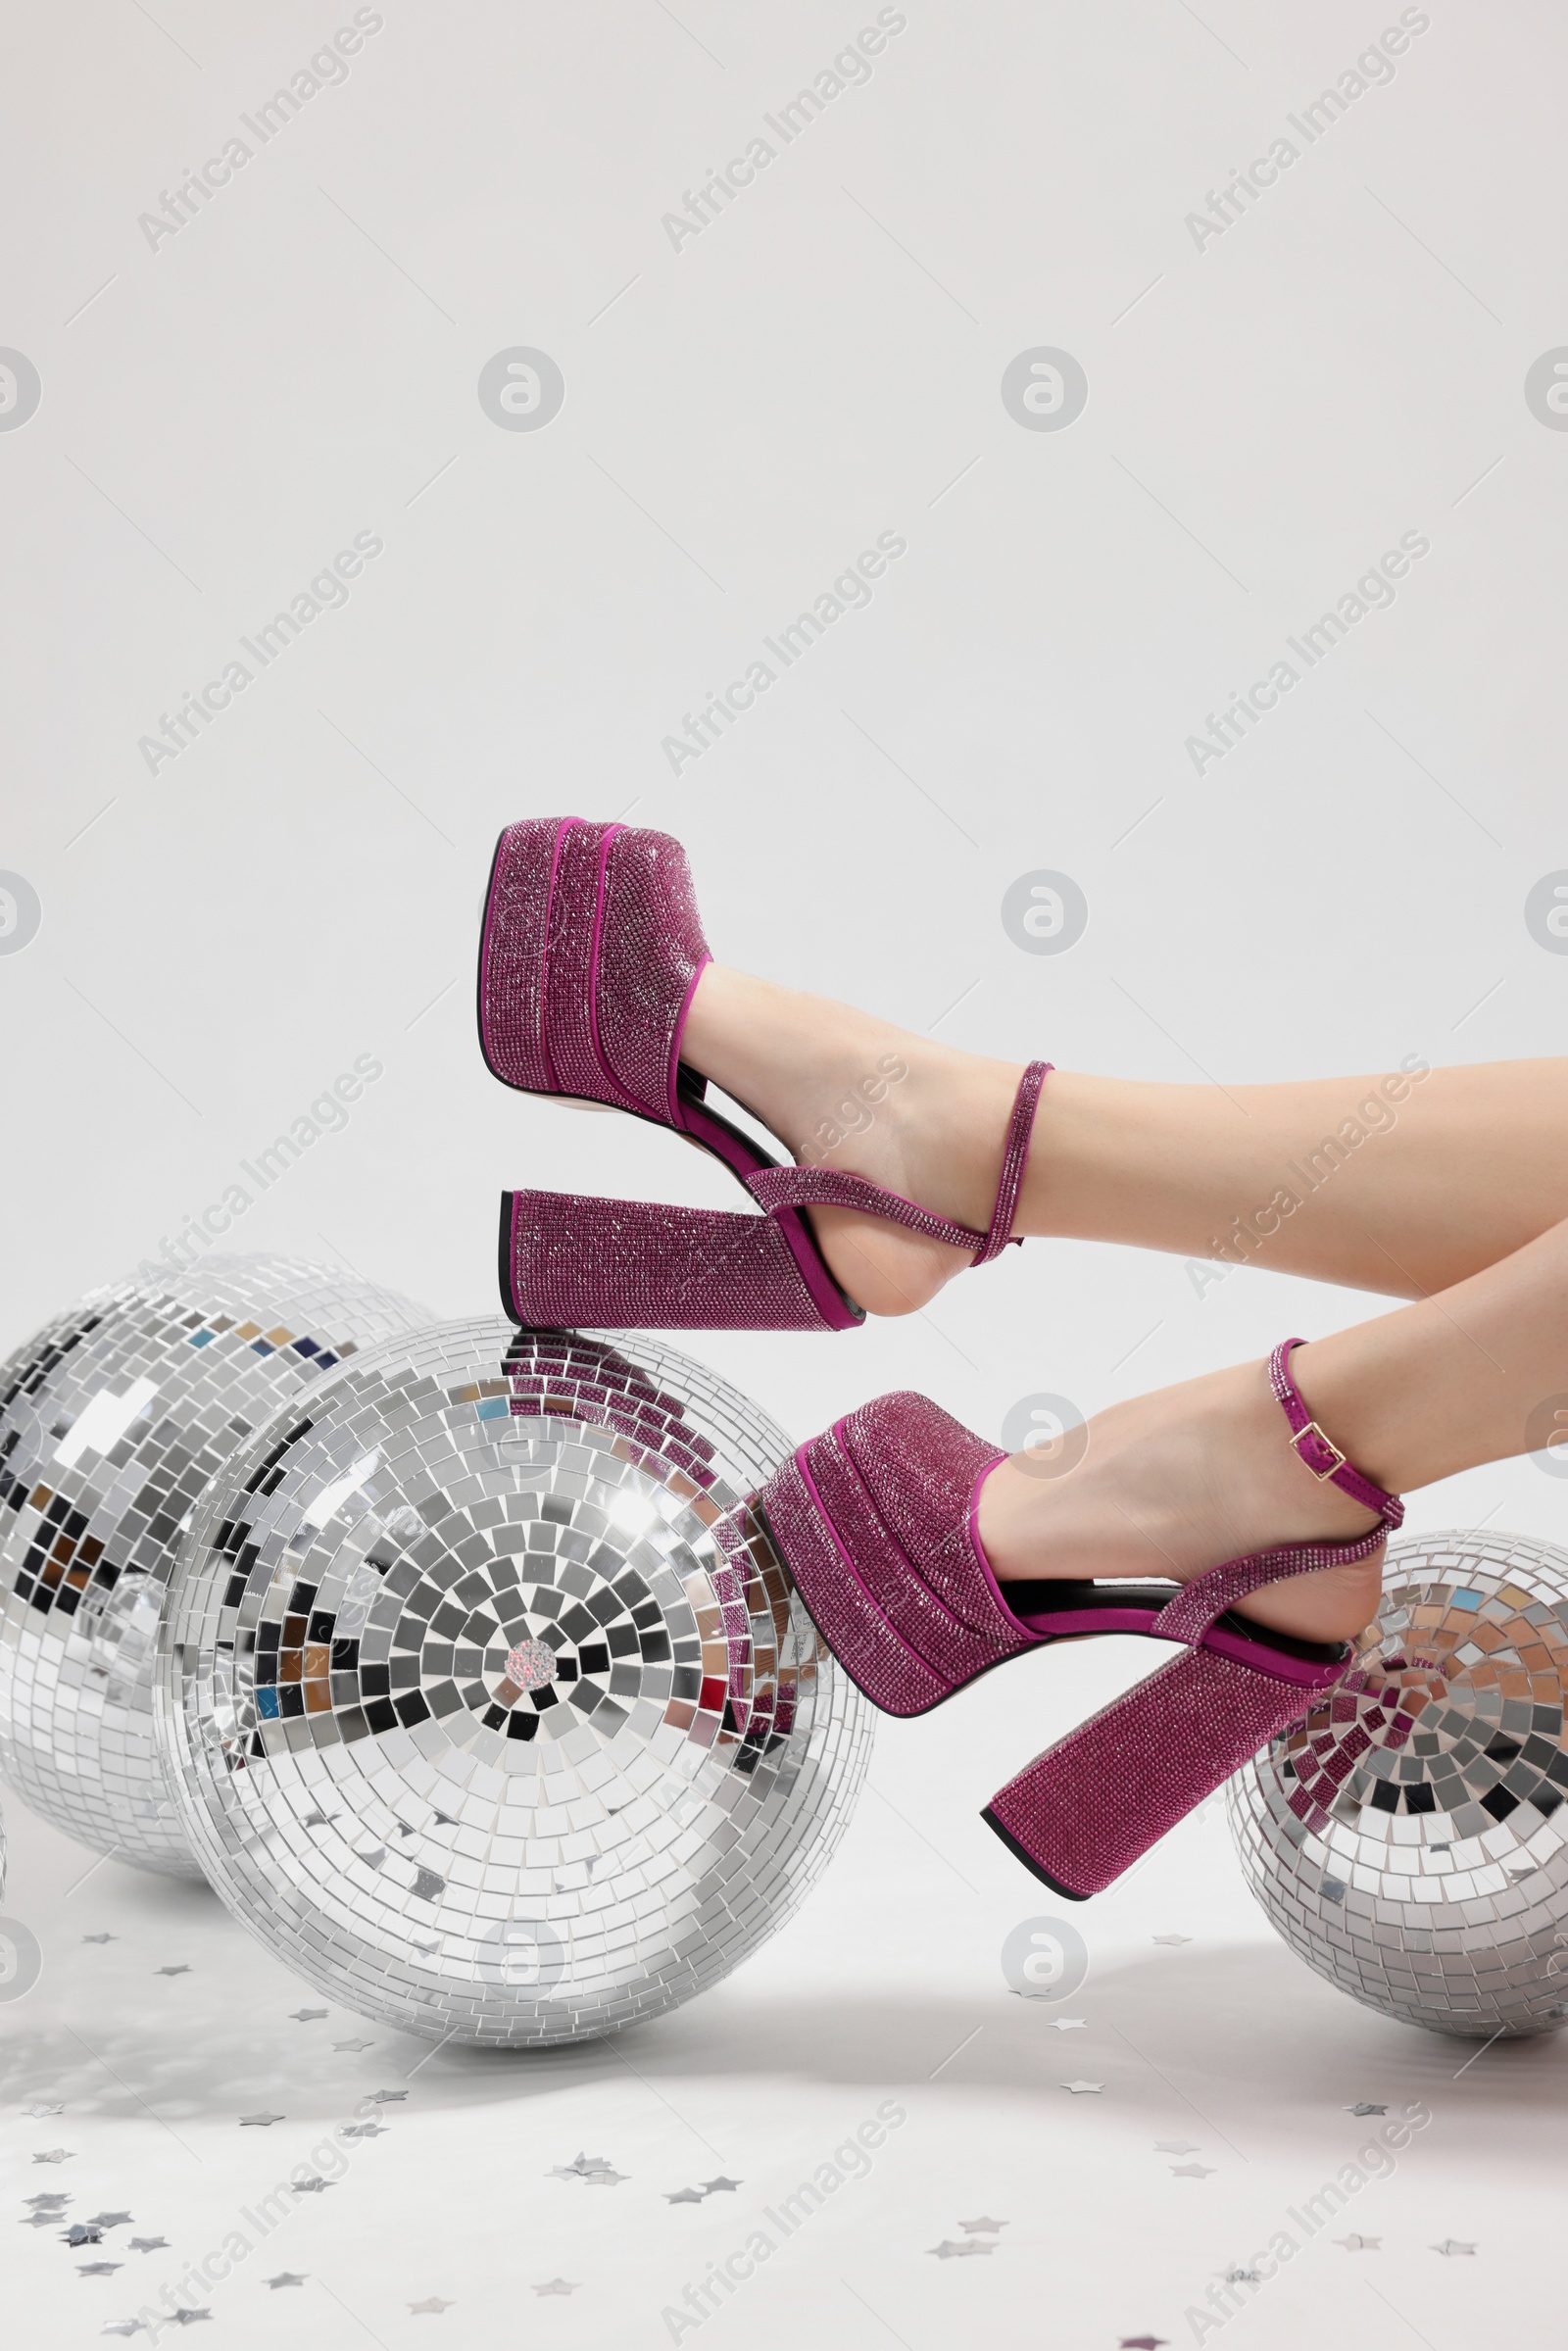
(300, 888)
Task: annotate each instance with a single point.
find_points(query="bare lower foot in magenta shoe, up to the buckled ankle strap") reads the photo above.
(1174, 1485)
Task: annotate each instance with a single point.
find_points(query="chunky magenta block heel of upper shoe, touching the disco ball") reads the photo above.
(636, 1266)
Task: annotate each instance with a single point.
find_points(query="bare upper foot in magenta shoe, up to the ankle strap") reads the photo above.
(857, 1094)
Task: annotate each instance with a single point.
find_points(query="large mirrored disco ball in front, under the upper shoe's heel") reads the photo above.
(488, 1701)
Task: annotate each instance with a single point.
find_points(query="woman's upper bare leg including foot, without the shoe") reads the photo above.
(1398, 1184)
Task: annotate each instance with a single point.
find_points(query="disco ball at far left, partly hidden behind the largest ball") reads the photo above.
(112, 1424)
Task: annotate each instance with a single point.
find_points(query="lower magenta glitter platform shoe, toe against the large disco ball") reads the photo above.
(878, 1522)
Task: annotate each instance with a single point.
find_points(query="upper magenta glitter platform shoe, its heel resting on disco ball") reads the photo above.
(589, 963)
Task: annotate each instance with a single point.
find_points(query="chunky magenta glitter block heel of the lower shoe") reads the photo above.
(1094, 1804)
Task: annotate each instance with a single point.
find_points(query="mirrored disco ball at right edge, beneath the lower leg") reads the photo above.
(1407, 1840)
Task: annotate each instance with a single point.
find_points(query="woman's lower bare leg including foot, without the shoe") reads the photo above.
(1177, 1482)
